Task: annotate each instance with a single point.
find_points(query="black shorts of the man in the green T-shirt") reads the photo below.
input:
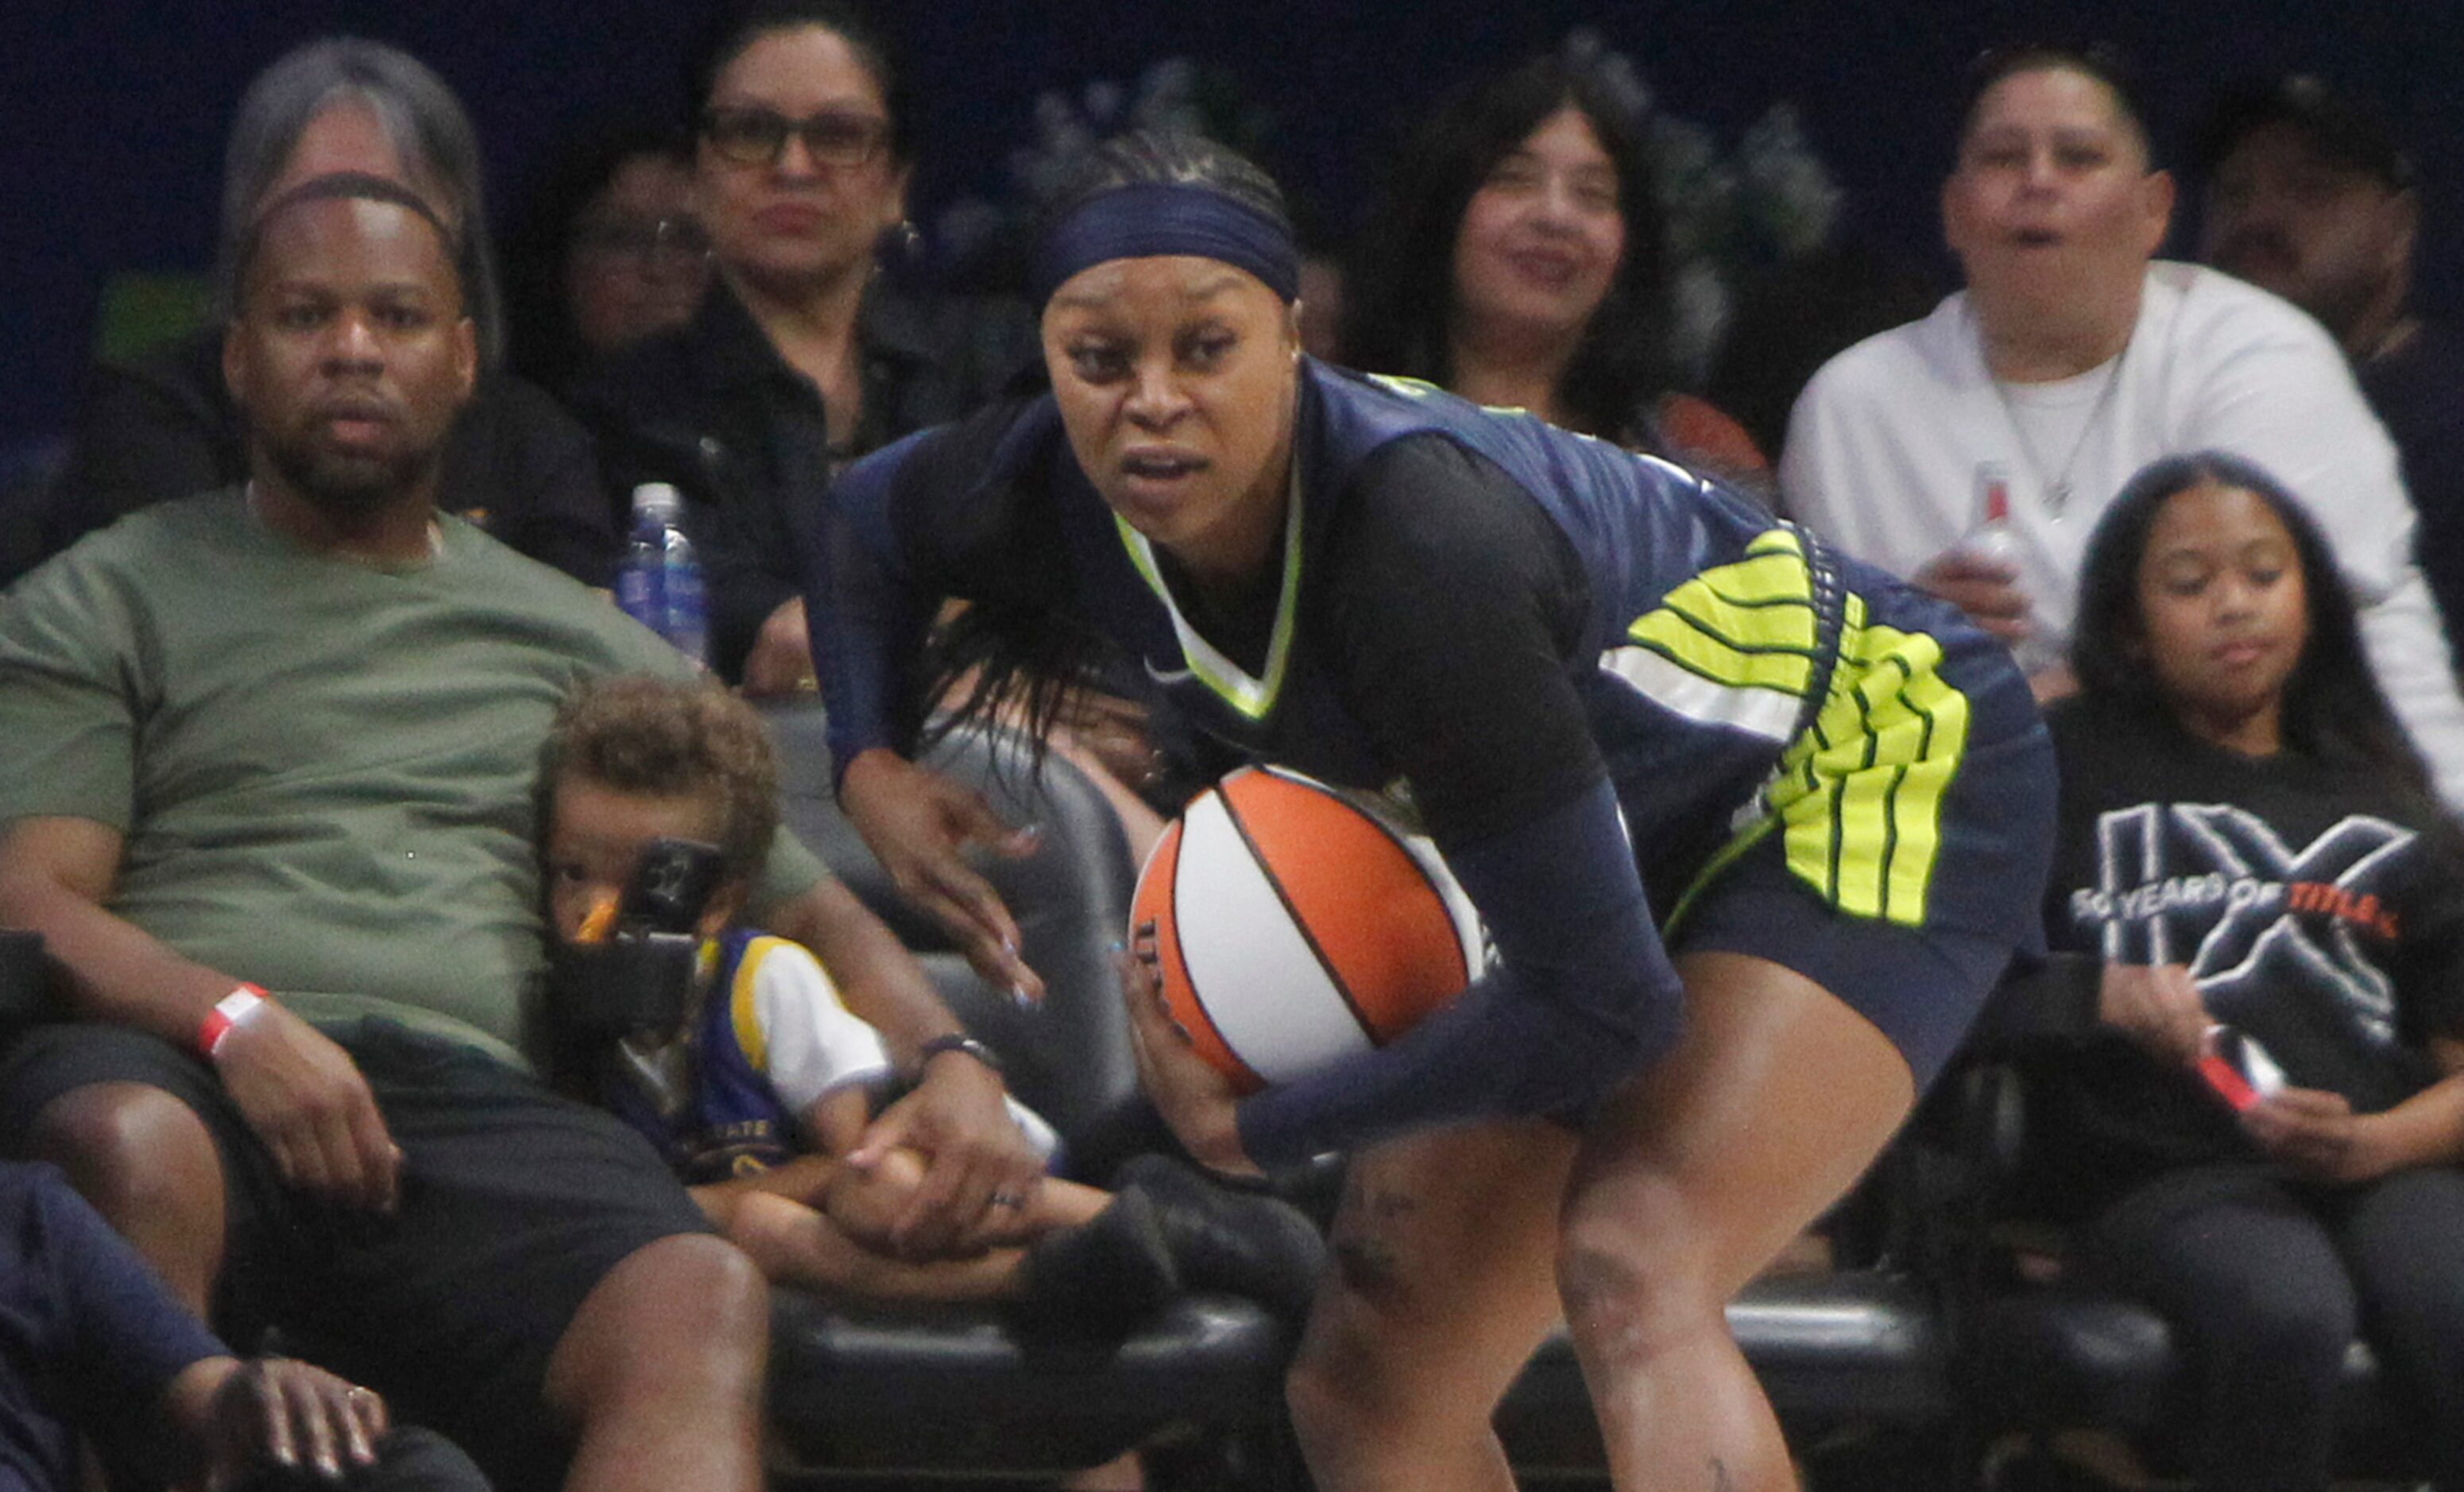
(516, 1203)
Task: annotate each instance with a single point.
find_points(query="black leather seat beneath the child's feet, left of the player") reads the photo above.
(952, 1390)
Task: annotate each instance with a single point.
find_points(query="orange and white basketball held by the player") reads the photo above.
(1297, 924)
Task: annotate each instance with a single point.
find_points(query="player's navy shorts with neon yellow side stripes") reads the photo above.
(1906, 843)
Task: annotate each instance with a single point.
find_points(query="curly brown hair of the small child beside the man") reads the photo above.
(674, 740)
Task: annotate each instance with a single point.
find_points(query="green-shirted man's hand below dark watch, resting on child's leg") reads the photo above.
(979, 1171)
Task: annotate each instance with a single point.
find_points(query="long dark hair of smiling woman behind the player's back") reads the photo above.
(1401, 289)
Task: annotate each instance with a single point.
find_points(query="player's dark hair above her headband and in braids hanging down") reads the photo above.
(1031, 651)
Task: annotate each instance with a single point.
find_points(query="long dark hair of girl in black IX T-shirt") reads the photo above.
(2332, 703)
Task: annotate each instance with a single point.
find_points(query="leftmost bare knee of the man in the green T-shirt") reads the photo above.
(137, 1153)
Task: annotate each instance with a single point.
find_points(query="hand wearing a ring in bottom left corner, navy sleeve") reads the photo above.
(292, 1414)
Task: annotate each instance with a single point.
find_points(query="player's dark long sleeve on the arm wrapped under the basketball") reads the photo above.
(1460, 602)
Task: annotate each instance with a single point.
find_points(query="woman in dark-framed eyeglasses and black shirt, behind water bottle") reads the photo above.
(800, 358)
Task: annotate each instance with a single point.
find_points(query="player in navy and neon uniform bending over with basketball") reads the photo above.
(1753, 826)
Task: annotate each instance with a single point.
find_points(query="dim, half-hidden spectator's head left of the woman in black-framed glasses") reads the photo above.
(607, 250)
